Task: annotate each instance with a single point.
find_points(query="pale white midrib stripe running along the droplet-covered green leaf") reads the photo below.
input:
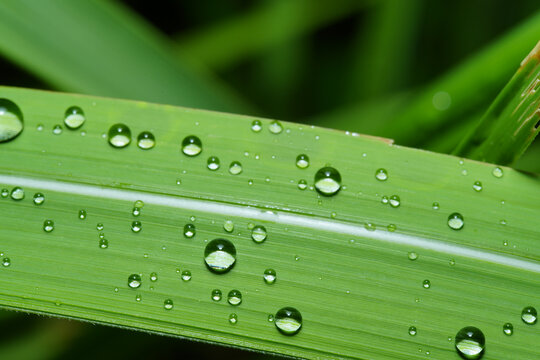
(273, 216)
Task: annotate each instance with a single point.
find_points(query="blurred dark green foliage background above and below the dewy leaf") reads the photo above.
(419, 71)
